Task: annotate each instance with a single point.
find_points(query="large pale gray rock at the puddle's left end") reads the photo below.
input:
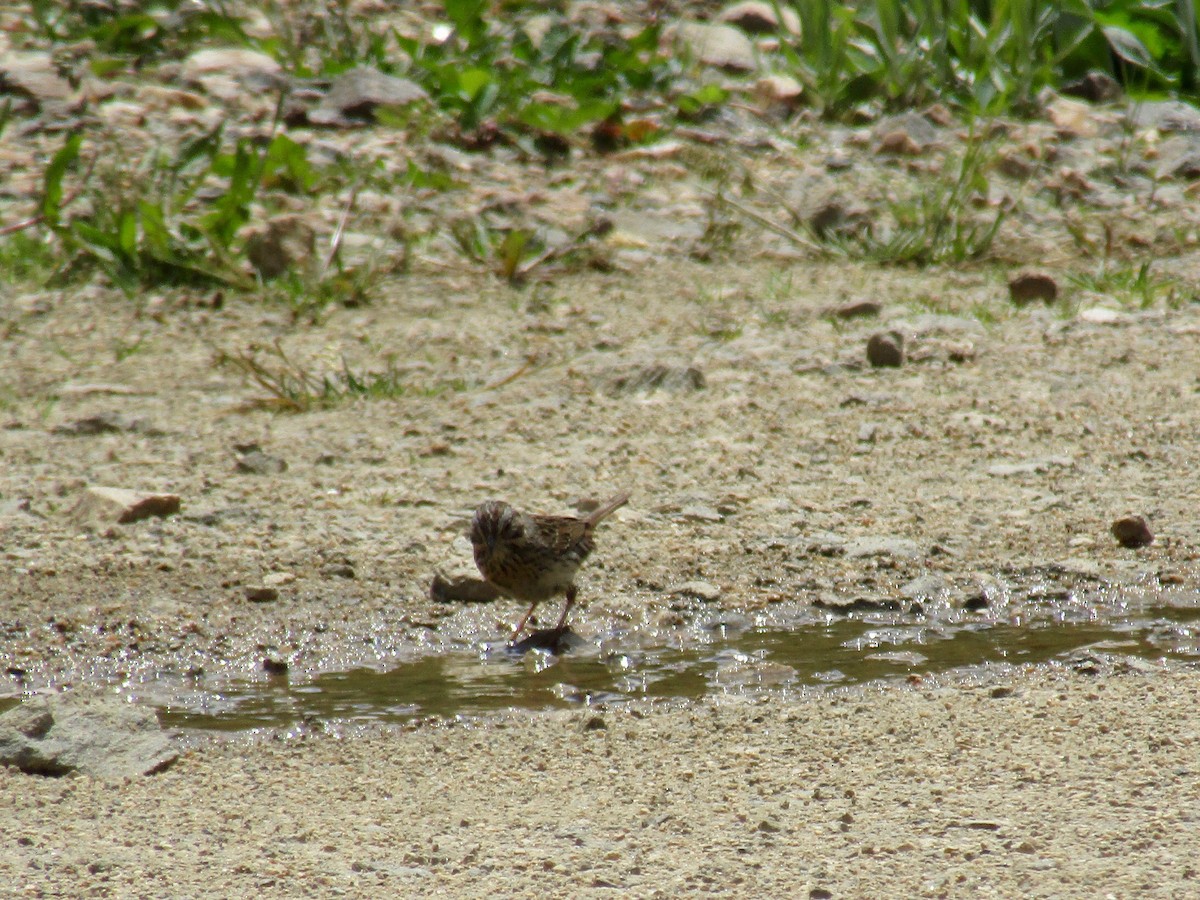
(93, 736)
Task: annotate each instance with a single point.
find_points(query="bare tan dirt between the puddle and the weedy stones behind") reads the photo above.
(994, 461)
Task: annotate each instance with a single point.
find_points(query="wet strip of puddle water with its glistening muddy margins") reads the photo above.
(784, 653)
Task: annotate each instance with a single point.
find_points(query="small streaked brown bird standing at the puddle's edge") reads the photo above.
(532, 557)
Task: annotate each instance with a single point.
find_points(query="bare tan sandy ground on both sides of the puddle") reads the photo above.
(997, 476)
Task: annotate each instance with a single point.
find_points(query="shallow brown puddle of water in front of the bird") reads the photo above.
(843, 652)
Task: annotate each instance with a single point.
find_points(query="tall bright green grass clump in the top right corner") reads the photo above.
(987, 58)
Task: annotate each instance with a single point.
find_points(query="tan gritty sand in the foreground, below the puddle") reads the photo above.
(1067, 787)
